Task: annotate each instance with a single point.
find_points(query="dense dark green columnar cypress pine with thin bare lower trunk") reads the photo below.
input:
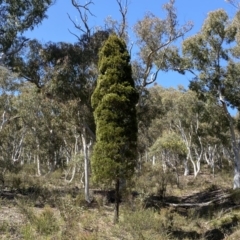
(114, 101)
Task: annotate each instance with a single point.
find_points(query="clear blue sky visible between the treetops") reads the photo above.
(56, 27)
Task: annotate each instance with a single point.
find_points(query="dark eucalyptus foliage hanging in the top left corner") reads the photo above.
(16, 17)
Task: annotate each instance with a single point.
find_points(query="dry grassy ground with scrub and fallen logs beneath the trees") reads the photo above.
(48, 208)
